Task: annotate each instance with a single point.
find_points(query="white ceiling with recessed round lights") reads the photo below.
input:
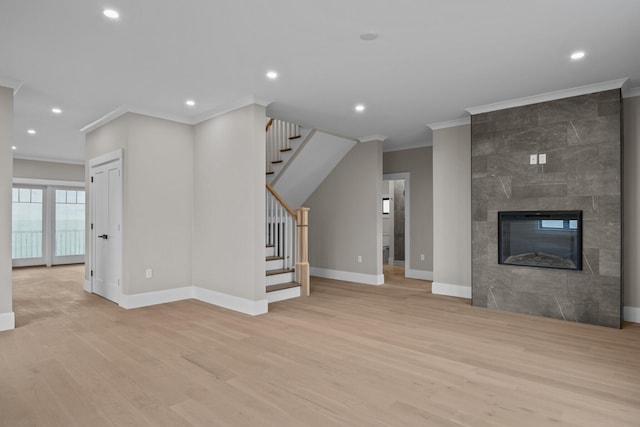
(432, 60)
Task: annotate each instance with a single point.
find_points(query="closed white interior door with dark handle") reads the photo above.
(106, 236)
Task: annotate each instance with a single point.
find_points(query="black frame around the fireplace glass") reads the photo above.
(543, 215)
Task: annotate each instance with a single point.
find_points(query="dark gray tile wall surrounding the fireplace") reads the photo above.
(581, 137)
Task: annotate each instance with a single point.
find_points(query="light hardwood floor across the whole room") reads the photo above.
(349, 355)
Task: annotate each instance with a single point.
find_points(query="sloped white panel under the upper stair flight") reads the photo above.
(313, 161)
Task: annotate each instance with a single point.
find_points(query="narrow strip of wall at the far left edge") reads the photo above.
(6, 182)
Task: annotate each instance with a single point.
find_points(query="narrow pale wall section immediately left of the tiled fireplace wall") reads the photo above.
(452, 211)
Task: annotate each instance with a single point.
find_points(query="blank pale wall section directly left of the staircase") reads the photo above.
(229, 207)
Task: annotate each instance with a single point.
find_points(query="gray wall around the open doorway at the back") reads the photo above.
(418, 163)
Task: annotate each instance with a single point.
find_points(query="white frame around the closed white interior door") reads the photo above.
(114, 157)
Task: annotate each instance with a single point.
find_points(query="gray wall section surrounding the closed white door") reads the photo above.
(158, 198)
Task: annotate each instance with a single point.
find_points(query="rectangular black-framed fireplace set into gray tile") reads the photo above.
(551, 239)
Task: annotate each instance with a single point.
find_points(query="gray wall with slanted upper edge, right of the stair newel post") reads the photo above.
(345, 217)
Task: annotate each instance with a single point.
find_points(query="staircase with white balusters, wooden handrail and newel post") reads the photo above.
(298, 160)
